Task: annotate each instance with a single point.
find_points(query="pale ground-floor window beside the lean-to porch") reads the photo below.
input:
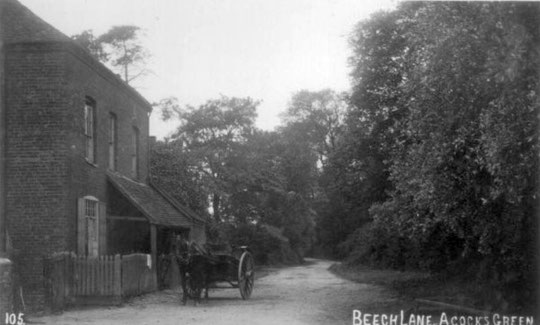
(91, 226)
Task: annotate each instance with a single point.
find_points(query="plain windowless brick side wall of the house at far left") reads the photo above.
(35, 162)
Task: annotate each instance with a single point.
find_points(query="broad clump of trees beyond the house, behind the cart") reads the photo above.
(250, 177)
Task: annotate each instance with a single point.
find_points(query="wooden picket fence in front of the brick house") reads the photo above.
(102, 280)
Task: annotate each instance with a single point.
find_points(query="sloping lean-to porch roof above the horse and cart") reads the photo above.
(154, 206)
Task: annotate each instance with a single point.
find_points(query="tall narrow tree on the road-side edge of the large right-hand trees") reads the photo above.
(356, 174)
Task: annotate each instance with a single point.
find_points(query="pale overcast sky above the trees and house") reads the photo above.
(201, 49)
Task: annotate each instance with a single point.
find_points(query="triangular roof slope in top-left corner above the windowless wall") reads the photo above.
(20, 25)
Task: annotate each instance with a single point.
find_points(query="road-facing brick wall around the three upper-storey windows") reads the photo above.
(84, 79)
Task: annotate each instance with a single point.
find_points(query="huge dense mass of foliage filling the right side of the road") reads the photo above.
(445, 104)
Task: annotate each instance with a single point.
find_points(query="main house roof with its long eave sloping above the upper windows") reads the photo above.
(19, 25)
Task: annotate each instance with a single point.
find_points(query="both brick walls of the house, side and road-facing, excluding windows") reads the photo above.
(46, 87)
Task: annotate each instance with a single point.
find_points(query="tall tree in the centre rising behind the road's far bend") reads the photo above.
(312, 129)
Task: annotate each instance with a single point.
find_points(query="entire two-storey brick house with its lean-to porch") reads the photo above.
(74, 146)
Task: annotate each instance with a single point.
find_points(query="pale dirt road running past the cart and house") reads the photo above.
(307, 294)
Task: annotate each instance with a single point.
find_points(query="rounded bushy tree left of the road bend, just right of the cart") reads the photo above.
(285, 178)
